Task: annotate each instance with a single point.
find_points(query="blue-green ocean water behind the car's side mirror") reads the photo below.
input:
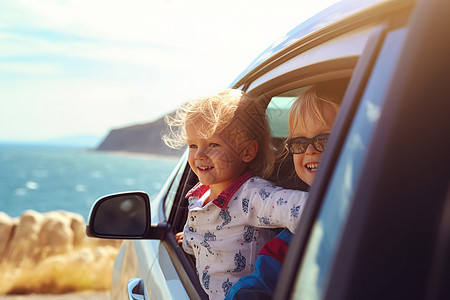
(47, 178)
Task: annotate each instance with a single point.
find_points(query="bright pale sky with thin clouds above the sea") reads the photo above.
(84, 67)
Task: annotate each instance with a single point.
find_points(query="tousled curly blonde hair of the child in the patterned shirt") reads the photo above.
(232, 113)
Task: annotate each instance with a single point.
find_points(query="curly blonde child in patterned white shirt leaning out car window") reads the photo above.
(233, 208)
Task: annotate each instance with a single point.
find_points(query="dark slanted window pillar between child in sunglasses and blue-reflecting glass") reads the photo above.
(342, 124)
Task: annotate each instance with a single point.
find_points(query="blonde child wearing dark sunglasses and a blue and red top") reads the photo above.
(311, 118)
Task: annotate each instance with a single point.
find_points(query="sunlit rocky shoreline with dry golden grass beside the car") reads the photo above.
(49, 253)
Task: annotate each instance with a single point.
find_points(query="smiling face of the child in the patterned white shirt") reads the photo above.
(213, 159)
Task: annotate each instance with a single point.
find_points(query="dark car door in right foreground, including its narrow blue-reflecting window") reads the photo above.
(376, 218)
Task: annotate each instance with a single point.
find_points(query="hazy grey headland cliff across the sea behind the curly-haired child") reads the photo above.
(143, 138)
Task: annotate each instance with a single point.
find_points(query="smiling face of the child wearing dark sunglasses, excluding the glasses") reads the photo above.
(306, 164)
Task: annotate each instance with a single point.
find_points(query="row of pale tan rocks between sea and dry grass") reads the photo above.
(37, 236)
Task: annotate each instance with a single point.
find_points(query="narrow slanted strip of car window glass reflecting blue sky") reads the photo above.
(322, 243)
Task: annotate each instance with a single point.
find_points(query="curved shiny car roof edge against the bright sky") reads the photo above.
(337, 17)
